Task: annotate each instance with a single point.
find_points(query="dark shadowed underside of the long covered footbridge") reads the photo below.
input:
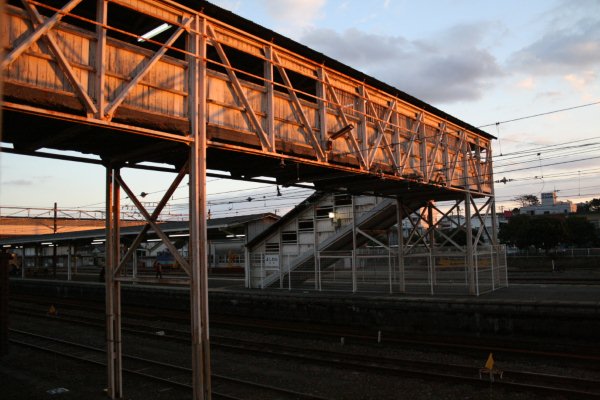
(32, 131)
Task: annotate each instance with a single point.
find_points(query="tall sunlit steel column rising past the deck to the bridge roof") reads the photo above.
(198, 237)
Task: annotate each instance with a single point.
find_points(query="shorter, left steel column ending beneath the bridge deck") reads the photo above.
(113, 287)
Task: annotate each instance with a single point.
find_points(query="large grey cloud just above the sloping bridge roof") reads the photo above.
(449, 67)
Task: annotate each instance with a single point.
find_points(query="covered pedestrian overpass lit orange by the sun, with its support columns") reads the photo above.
(214, 90)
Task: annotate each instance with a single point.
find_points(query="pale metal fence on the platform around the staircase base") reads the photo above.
(377, 270)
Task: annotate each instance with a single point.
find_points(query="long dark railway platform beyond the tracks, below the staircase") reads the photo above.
(553, 312)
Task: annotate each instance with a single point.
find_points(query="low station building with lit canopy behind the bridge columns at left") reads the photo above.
(84, 251)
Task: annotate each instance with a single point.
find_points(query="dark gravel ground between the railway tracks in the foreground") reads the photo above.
(27, 374)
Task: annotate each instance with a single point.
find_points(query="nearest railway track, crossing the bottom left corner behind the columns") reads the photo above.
(226, 388)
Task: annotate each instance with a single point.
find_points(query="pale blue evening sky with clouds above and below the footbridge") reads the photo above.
(494, 64)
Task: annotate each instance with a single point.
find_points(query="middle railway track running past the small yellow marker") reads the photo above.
(573, 387)
